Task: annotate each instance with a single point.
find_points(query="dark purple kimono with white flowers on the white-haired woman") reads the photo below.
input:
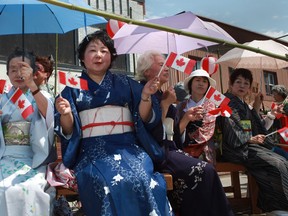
(197, 189)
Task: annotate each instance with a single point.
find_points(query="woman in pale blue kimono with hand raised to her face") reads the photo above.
(26, 141)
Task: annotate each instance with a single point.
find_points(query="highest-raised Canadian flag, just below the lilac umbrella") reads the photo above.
(180, 63)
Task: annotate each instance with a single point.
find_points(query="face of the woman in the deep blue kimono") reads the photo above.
(97, 58)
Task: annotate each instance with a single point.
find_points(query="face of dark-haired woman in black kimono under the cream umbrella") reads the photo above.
(240, 87)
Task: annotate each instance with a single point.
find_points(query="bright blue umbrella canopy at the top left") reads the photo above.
(32, 16)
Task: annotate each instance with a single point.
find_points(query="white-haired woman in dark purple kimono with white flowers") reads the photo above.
(197, 189)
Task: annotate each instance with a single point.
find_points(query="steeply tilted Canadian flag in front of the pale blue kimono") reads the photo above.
(20, 100)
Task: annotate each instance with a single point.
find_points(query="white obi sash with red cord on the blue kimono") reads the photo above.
(106, 120)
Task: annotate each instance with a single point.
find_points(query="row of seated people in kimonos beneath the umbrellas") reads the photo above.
(99, 131)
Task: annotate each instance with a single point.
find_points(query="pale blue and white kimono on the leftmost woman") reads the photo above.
(25, 150)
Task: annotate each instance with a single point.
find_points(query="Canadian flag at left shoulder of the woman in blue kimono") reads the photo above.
(72, 81)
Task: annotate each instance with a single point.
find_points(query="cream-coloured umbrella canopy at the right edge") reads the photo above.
(240, 58)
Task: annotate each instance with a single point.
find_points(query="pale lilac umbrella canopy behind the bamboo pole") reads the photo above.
(138, 39)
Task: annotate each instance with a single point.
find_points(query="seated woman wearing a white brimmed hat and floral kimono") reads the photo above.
(195, 124)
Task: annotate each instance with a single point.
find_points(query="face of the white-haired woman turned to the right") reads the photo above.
(156, 67)
